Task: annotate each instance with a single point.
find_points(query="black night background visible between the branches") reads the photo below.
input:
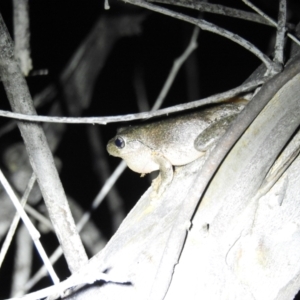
(58, 28)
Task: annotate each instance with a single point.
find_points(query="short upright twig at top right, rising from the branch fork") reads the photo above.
(279, 45)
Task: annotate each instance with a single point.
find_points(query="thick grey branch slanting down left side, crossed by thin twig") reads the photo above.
(40, 155)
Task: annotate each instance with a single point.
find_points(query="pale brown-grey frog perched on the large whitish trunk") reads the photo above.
(171, 142)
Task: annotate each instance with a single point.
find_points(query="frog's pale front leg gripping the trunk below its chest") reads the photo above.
(165, 176)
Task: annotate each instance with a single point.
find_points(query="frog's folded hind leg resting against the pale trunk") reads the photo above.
(209, 136)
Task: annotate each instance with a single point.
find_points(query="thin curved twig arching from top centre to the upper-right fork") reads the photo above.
(204, 25)
